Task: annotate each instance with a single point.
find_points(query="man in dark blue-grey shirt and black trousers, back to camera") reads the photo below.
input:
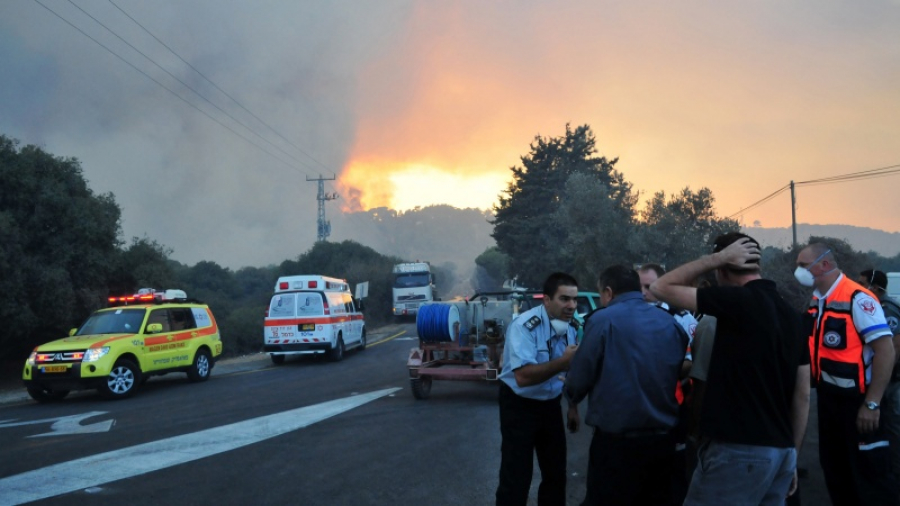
(628, 363)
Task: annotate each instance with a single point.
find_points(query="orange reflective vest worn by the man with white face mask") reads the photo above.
(835, 347)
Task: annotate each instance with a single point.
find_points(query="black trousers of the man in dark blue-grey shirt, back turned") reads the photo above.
(630, 470)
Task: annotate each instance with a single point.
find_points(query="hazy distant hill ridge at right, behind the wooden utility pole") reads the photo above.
(886, 244)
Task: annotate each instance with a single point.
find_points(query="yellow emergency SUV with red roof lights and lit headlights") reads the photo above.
(117, 348)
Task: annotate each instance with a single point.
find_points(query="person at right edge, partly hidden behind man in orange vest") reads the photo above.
(876, 282)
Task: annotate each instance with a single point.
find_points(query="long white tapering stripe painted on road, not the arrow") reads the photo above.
(136, 460)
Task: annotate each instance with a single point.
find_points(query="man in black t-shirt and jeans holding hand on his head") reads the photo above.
(756, 404)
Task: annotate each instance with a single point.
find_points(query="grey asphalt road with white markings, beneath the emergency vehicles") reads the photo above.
(307, 432)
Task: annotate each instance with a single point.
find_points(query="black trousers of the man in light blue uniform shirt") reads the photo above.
(530, 427)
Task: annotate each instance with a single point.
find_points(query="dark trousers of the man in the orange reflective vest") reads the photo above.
(857, 467)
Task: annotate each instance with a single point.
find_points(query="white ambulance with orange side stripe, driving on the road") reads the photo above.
(312, 314)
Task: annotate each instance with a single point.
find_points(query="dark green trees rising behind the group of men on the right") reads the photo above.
(569, 209)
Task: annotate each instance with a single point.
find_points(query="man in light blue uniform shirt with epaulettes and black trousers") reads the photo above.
(539, 346)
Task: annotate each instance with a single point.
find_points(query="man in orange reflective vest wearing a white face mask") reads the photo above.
(852, 357)
